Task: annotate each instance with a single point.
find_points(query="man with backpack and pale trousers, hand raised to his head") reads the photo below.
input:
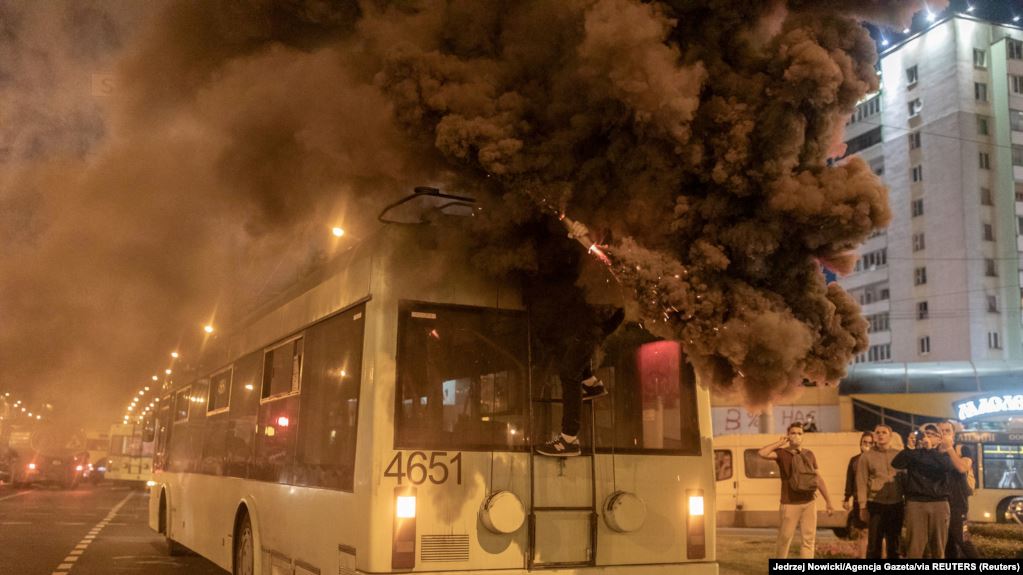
(800, 482)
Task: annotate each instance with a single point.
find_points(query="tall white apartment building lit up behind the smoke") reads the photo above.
(946, 132)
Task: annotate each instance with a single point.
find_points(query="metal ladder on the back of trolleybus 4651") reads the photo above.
(592, 510)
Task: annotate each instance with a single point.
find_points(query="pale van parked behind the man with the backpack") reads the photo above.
(749, 488)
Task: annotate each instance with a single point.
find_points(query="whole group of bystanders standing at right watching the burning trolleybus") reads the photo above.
(922, 490)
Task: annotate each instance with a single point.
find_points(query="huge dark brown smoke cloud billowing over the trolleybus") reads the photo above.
(691, 138)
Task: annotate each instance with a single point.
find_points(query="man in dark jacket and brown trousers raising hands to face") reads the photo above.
(929, 471)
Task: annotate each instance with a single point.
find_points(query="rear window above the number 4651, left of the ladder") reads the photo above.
(462, 379)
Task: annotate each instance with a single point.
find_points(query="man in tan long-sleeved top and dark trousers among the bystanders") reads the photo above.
(880, 495)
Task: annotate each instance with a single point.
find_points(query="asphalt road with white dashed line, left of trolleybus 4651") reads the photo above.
(93, 530)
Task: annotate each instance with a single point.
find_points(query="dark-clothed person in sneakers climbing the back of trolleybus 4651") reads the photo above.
(580, 384)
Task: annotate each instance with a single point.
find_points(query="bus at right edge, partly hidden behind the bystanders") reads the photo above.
(998, 467)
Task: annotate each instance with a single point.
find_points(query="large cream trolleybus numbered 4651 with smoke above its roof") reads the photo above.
(383, 421)
